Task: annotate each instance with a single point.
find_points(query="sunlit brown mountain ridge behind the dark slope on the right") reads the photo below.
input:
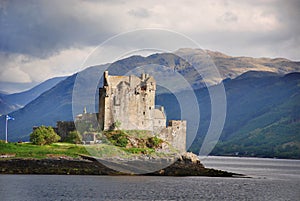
(231, 67)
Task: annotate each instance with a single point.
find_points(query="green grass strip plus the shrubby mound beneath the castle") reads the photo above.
(116, 146)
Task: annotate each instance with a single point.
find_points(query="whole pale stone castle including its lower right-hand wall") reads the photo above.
(130, 100)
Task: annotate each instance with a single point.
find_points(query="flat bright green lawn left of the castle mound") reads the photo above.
(28, 150)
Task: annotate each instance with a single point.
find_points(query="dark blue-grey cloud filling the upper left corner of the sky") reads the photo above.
(42, 28)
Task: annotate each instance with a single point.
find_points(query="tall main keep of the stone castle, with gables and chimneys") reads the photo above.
(129, 100)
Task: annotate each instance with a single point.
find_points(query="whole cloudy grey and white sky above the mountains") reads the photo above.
(44, 39)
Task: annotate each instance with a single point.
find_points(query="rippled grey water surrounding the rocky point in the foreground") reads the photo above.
(272, 179)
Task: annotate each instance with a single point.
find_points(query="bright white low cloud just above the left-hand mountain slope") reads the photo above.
(23, 68)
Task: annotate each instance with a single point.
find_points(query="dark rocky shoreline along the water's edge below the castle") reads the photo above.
(186, 165)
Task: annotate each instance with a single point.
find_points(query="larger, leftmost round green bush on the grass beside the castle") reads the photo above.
(44, 135)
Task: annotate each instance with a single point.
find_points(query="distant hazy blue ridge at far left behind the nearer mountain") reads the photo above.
(12, 102)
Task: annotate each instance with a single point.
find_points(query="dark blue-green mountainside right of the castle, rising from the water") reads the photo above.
(263, 116)
